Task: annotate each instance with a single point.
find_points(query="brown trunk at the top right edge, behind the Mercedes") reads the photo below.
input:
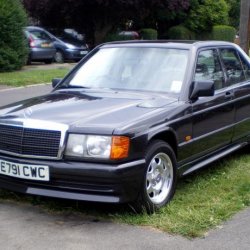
(245, 25)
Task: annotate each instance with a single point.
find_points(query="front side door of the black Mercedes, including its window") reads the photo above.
(213, 117)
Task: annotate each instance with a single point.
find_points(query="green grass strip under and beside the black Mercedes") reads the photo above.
(202, 201)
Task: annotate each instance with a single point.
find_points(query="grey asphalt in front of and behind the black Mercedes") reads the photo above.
(27, 227)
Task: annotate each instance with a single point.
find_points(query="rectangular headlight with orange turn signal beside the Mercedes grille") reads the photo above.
(95, 146)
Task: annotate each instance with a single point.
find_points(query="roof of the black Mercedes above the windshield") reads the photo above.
(182, 44)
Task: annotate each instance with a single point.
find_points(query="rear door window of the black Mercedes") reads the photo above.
(233, 66)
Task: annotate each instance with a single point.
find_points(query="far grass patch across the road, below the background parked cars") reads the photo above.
(23, 78)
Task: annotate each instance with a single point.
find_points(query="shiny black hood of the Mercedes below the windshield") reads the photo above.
(104, 110)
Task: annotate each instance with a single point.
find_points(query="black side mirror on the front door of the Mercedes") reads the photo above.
(202, 88)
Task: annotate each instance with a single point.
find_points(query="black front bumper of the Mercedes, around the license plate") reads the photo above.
(81, 181)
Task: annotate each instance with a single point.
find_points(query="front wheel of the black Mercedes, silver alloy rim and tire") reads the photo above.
(159, 182)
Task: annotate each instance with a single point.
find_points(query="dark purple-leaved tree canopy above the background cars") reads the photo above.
(96, 17)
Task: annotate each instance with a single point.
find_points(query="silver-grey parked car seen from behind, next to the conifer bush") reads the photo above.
(41, 46)
